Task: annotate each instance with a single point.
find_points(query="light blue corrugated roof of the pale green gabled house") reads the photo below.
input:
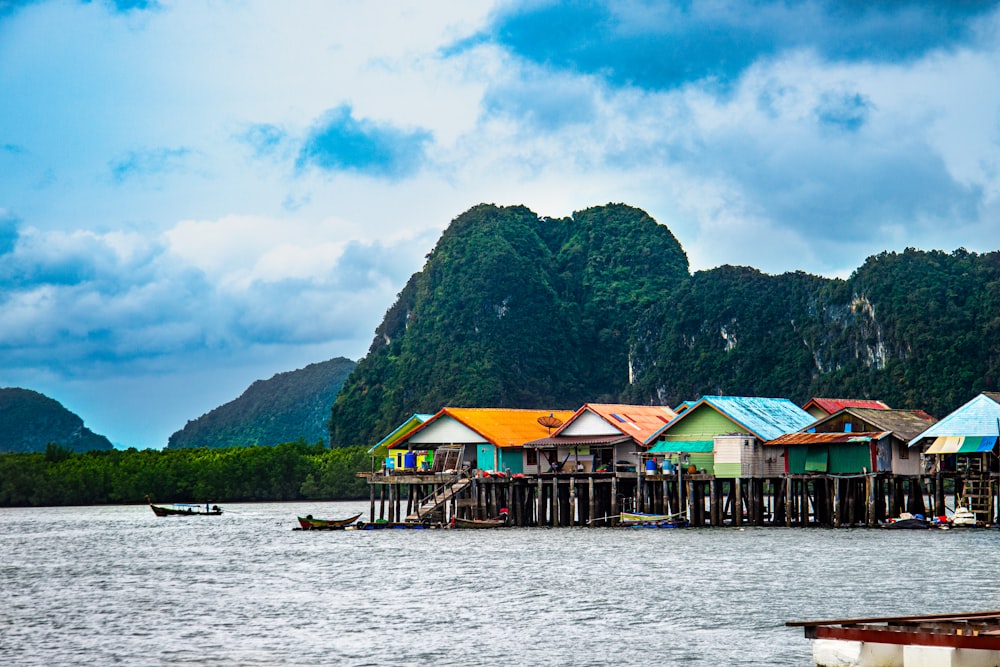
(766, 418)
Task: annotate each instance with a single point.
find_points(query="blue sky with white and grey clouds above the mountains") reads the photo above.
(196, 195)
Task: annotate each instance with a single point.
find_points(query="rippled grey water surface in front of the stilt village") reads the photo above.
(117, 585)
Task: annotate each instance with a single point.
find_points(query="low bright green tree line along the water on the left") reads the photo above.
(289, 471)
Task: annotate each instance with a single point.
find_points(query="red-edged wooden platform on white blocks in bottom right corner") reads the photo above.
(956, 640)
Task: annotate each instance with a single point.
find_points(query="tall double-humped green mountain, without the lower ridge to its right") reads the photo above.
(512, 310)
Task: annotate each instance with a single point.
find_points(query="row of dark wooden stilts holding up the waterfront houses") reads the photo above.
(596, 498)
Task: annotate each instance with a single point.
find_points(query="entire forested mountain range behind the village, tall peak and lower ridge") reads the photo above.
(513, 310)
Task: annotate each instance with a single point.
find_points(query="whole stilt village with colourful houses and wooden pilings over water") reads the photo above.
(717, 461)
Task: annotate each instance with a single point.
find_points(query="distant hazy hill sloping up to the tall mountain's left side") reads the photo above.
(288, 407)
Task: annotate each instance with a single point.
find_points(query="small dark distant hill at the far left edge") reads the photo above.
(29, 421)
